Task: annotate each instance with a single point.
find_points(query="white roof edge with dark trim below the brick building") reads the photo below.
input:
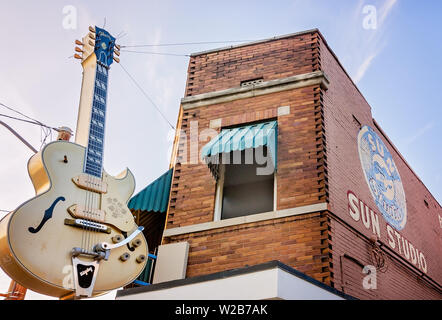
(270, 280)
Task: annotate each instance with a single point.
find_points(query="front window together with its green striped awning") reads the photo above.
(243, 161)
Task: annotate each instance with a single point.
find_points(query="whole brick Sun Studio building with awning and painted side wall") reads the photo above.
(340, 199)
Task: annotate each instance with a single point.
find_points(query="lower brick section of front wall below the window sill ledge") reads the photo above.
(299, 241)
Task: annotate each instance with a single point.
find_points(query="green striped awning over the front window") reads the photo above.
(242, 138)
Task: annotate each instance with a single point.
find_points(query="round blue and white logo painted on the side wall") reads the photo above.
(382, 178)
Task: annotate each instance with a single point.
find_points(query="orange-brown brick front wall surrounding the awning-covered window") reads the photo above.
(300, 242)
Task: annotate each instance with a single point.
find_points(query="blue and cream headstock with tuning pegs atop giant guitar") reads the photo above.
(100, 42)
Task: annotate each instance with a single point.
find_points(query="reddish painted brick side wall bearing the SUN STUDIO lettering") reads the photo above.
(342, 103)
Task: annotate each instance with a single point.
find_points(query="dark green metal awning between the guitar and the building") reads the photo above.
(155, 197)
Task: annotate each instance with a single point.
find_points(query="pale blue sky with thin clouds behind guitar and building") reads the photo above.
(390, 48)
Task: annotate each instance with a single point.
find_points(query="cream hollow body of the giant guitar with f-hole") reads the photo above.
(35, 242)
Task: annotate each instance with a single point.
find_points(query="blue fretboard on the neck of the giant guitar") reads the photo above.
(94, 154)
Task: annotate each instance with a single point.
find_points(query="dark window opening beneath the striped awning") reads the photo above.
(246, 188)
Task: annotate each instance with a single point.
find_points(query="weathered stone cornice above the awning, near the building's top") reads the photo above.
(263, 88)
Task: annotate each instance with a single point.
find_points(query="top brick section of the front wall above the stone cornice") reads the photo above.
(270, 60)
